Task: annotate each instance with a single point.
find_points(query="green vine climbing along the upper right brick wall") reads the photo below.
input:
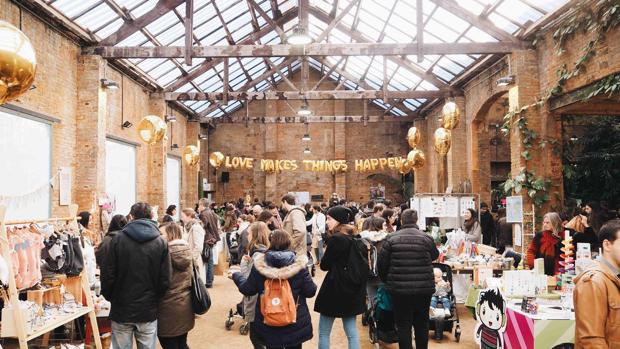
(600, 18)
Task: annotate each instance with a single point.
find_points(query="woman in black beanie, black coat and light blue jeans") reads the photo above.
(331, 302)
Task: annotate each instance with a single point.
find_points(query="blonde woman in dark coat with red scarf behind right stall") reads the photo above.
(547, 244)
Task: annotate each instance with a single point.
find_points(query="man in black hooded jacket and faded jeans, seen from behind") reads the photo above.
(134, 278)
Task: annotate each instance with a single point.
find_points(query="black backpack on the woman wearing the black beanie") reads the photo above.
(352, 275)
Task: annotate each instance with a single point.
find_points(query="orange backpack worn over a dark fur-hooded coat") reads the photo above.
(277, 304)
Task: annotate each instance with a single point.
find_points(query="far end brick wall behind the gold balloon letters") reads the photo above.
(329, 141)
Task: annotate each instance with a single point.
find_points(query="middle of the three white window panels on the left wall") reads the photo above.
(120, 175)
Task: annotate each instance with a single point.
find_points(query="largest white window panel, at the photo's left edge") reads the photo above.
(25, 155)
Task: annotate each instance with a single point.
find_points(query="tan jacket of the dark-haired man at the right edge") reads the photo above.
(597, 308)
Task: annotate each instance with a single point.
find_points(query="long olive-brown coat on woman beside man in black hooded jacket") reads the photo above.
(175, 315)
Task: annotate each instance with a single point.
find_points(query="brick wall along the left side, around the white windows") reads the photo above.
(68, 89)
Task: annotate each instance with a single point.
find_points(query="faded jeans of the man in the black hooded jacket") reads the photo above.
(145, 333)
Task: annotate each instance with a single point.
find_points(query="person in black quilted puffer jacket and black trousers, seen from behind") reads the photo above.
(405, 266)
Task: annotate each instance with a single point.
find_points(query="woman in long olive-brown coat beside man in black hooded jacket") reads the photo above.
(175, 315)
